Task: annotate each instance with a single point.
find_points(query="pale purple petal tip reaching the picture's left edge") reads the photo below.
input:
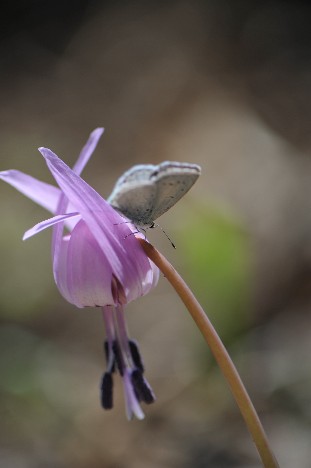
(42, 193)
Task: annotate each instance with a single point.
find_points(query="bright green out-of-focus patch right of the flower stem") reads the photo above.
(216, 258)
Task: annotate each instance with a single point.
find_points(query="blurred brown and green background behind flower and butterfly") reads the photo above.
(219, 83)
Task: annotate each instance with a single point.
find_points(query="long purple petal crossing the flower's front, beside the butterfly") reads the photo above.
(129, 263)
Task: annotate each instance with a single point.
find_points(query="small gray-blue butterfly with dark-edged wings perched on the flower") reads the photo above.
(145, 192)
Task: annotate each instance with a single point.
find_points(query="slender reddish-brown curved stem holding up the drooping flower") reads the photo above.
(220, 353)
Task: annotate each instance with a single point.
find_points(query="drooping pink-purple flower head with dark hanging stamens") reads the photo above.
(96, 263)
